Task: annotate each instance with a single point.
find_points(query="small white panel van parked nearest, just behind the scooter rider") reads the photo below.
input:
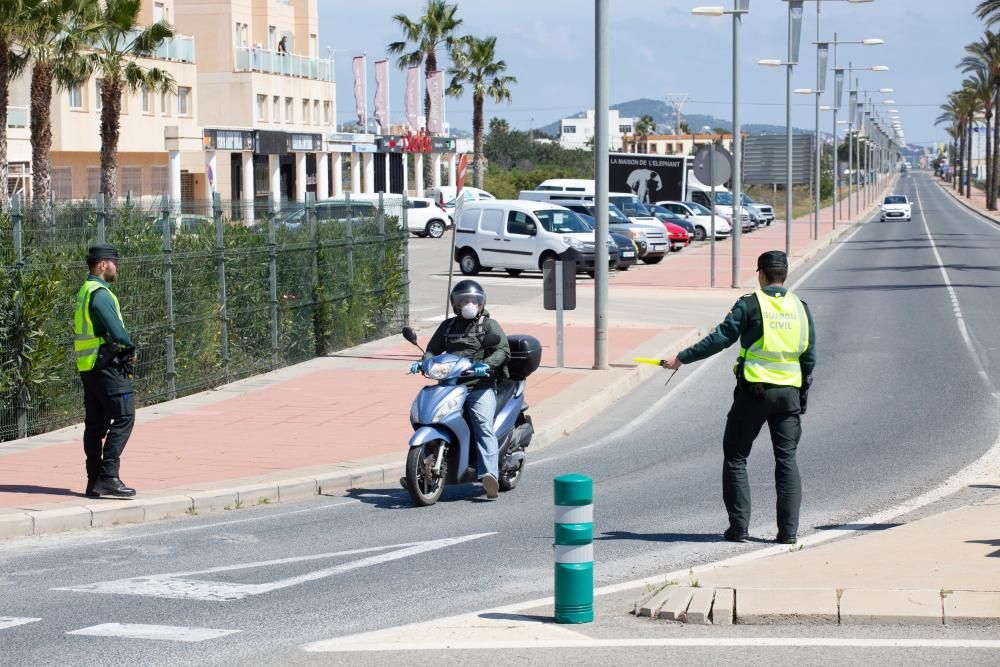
(520, 235)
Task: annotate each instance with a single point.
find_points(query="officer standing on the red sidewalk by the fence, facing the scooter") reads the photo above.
(105, 356)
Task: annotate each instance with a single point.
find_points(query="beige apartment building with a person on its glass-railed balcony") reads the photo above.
(266, 98)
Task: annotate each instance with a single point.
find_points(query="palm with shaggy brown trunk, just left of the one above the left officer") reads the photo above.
(53, 38)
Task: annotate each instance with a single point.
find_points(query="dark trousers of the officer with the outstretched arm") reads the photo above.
(779, 408)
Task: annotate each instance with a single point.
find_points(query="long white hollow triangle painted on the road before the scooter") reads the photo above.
(176, 586)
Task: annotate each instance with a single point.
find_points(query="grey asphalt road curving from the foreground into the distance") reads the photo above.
(900, 403)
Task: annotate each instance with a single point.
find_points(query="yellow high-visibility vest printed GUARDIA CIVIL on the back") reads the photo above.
(774, 358)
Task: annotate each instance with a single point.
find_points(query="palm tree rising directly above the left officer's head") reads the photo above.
(117, 43)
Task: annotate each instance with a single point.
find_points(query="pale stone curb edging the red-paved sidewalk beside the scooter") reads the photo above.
(338, 478)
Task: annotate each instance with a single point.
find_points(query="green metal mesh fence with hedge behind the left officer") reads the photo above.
(208, 299)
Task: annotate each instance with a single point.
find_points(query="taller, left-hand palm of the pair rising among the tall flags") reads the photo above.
(422, 39)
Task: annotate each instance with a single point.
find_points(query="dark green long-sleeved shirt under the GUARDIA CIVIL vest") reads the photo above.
(744, 323)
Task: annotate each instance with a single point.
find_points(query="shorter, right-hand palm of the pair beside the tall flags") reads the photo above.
(475, 64)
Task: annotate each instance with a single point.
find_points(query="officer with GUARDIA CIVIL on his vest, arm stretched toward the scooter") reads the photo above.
(773, 374)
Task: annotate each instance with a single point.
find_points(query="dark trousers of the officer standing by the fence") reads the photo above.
(110, 416)
